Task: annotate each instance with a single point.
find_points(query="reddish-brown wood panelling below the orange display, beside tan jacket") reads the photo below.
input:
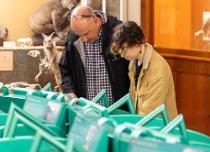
(192, 84)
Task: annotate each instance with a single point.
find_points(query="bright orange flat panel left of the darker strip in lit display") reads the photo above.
(172, 23)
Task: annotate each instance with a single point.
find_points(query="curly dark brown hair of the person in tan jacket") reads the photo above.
(127, 34)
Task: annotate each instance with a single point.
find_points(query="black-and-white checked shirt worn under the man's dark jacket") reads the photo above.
(96, 74)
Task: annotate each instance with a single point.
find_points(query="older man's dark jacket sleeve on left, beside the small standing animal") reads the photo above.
(65, 69)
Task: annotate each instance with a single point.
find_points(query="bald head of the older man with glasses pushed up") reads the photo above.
(85, 23)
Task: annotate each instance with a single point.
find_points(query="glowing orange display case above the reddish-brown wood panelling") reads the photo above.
(182, 24)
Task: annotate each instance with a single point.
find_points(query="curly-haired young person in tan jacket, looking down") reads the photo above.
(151, 81)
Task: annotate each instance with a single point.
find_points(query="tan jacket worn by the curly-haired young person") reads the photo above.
(155, 84)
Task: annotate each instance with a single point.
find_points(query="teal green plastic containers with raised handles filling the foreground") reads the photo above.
(41, 120)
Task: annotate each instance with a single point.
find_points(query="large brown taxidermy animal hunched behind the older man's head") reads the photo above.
(52, 16)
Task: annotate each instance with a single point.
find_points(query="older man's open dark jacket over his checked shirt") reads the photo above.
(72, 67)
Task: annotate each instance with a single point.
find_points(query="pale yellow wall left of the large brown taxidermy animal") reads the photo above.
(14, 15)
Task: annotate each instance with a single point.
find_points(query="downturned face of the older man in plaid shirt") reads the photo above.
(86, 29)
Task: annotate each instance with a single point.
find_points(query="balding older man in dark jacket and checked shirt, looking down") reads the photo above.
(87, 66)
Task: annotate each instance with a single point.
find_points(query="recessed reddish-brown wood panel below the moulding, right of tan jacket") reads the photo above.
(192, 99)
